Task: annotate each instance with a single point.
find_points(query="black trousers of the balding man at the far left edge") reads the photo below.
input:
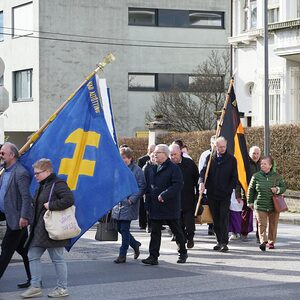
(14, 240)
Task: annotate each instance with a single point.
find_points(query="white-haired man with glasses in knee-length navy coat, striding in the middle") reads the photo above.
(164, 185)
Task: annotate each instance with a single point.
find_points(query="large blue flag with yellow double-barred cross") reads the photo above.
(84, 153)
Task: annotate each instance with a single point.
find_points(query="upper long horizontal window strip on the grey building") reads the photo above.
(175, 18)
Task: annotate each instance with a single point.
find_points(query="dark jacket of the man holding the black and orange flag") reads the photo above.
(222, 176)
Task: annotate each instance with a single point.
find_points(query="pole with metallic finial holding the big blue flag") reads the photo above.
(100, 67)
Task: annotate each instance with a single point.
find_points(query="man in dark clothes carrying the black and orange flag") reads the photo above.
(221, 180)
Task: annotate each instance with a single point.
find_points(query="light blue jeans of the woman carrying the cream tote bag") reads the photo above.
(57, 257)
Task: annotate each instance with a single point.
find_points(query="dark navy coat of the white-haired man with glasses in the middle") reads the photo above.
(168, 183)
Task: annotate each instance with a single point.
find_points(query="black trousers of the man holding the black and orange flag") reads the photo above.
(220, 212)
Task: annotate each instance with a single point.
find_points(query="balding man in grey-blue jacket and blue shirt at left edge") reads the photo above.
(15, 203)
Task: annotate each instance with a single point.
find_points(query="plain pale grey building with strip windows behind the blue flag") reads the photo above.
(49, 47)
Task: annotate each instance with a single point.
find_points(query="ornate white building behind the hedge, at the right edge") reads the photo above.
(284, 59)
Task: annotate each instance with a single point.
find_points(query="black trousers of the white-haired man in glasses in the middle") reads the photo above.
(155, 240)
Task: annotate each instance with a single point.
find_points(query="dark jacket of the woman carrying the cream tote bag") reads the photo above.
(61, 198)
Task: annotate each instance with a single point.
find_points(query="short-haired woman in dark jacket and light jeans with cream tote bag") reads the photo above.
(53, 194)
